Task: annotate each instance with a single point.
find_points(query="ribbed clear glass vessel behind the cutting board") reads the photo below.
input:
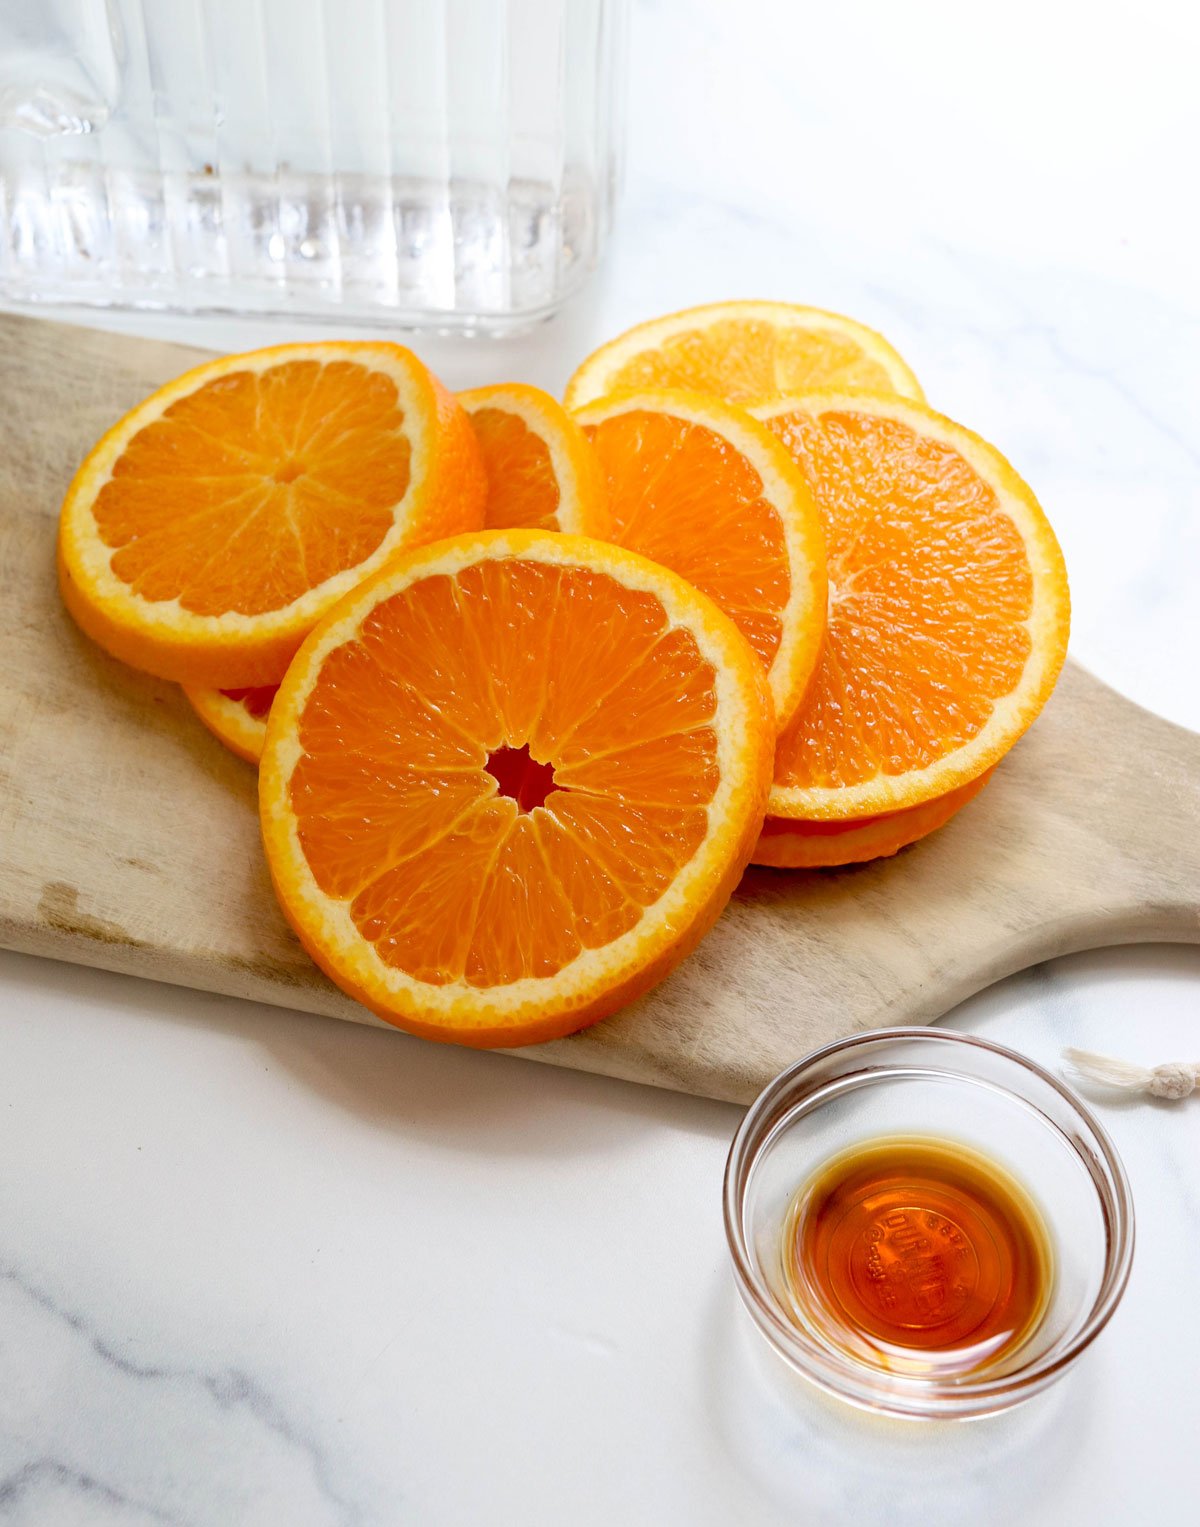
(440, 164)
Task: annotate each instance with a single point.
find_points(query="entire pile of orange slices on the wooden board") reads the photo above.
(532, 685)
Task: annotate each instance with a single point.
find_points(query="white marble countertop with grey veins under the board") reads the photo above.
(260, 1268)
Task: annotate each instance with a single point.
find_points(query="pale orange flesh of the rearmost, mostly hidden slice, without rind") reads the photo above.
(744, 360)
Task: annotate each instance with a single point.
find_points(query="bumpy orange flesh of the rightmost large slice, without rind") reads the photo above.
(931, 595)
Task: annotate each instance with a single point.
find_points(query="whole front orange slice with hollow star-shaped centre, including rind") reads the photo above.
(511, 783)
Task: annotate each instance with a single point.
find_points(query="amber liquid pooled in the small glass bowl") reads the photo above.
(917, 1256)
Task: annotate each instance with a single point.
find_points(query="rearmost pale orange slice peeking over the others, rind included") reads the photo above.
(746, 354)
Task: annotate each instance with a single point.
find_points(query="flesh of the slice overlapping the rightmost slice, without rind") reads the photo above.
(677, 492)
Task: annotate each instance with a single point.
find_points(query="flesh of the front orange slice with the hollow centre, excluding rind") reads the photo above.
(399, 815)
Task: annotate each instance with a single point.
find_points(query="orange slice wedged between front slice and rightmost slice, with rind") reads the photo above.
(705, 489)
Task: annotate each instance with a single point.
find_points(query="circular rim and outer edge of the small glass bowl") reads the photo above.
(909, 1395)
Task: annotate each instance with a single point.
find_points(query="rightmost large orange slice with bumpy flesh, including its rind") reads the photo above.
(949, 609)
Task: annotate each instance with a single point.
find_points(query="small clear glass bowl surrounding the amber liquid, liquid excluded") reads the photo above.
(955, 1088)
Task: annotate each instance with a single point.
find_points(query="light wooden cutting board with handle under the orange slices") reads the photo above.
(129, 838)
